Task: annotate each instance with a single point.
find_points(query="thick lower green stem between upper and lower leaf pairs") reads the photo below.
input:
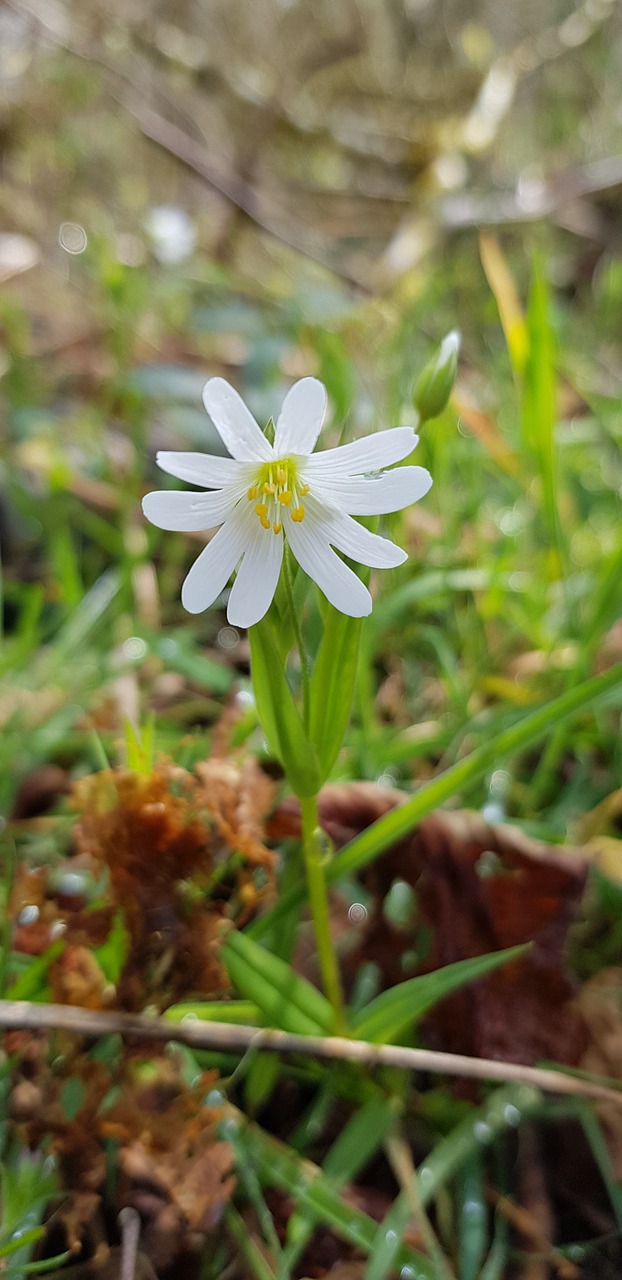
(313, 849)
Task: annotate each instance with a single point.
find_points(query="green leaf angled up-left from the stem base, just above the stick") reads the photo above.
(285, 999)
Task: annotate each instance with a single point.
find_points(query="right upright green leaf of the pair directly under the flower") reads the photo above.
(333, 685)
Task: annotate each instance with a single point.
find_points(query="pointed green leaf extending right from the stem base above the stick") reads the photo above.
(391, 1013)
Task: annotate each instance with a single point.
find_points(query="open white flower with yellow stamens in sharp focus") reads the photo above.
(264, 493)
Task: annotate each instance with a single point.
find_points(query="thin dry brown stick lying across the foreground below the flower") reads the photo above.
(24, 1016)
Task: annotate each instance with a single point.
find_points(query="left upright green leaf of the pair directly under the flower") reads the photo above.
(278, 712)
